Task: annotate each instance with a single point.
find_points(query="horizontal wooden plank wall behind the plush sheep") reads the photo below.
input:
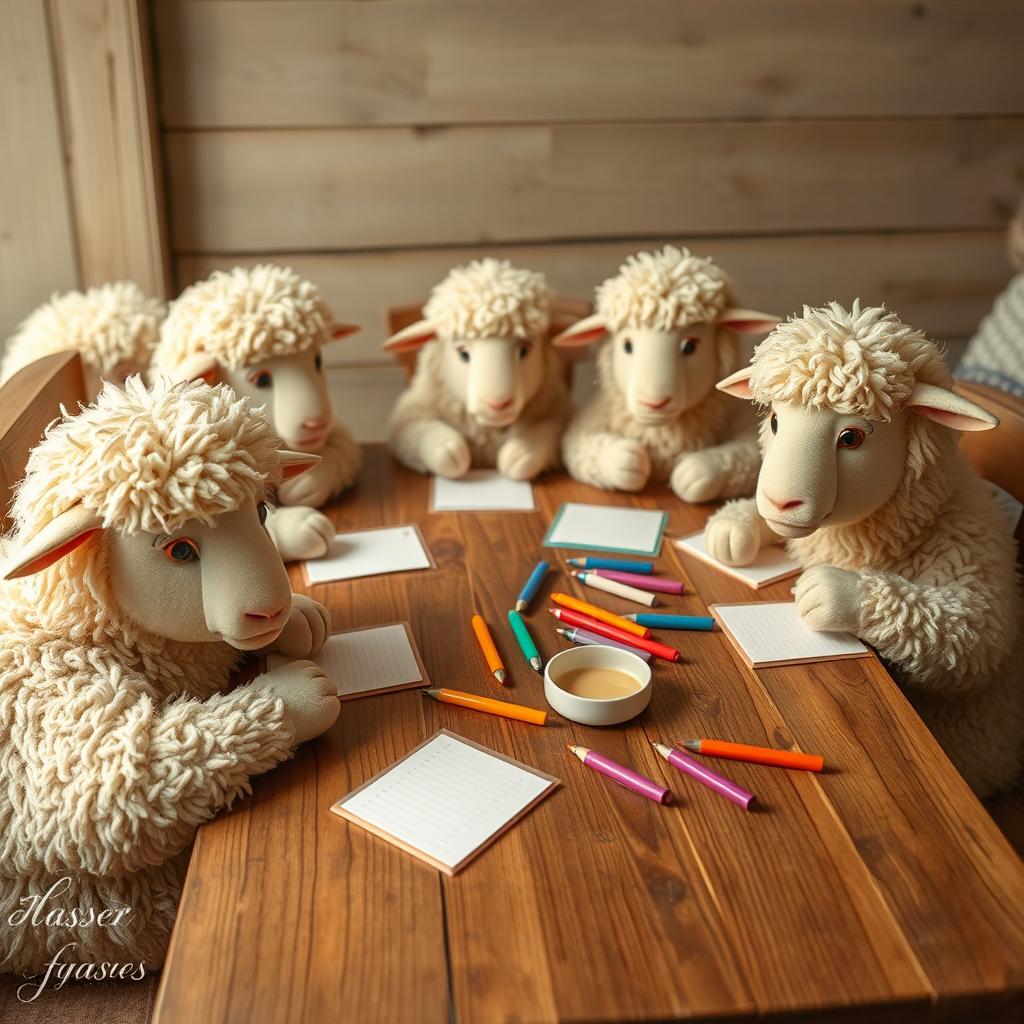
(819, 150)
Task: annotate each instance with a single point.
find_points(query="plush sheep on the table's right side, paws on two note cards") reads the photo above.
(904, 545)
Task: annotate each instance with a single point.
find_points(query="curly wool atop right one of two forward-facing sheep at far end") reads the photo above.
(664, 291)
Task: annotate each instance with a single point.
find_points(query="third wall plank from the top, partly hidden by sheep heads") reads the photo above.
(943, 282)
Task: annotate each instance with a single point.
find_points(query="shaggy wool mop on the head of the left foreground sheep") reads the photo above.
(150, 459)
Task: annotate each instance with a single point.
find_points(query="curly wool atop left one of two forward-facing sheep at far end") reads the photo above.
(490, 298)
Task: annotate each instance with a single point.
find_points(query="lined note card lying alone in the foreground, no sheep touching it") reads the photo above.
(447, 800)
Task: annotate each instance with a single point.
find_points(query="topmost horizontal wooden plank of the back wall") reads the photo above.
(290, 64)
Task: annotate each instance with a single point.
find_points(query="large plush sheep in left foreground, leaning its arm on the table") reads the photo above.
(139, 573)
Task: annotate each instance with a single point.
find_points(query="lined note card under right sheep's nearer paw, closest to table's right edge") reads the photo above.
(771, 633)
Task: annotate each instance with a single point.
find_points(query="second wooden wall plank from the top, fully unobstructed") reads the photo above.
(350, 189)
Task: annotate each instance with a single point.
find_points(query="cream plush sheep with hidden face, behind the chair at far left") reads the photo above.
(114, 328)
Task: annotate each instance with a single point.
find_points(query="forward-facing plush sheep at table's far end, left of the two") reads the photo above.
(488, 389)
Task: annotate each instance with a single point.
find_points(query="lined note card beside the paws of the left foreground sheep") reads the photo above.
(361, 663)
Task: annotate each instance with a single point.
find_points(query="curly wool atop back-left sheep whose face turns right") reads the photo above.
(244, 316)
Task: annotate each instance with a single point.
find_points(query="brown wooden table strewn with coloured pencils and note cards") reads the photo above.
(879, 891)
